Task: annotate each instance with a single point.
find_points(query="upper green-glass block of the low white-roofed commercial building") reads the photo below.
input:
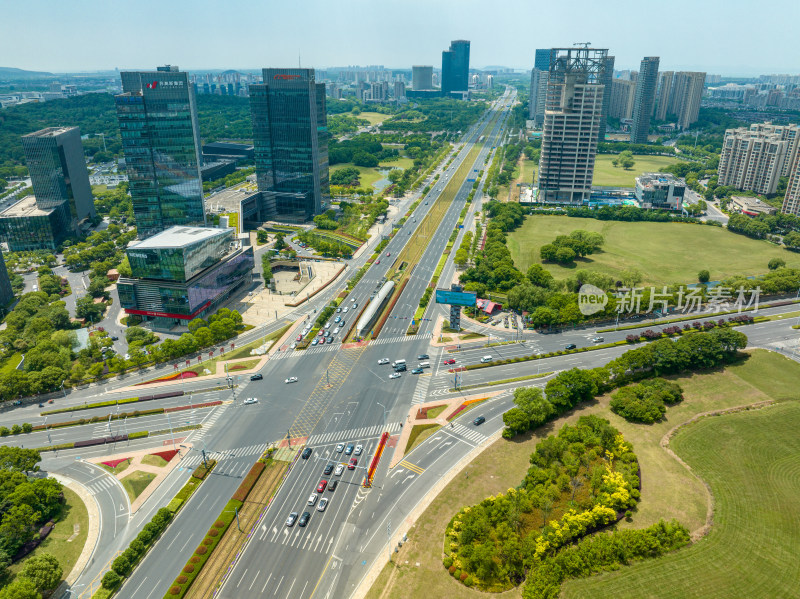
(179, 262)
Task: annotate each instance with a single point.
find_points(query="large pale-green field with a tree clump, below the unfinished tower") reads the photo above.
(664, 253)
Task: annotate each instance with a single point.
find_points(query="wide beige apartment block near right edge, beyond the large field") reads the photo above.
(753, 158)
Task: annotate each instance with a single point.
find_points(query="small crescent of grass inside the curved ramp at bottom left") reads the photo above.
(73, 520)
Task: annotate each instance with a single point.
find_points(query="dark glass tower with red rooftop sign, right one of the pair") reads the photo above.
(290, 135)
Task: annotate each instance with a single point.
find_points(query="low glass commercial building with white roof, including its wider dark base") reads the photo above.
(183, 273)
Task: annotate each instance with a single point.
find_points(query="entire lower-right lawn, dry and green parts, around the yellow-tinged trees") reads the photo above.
(669, 491)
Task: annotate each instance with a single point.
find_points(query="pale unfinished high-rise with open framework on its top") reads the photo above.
(573, 110)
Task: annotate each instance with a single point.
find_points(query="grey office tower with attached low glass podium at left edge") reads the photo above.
(62, 195)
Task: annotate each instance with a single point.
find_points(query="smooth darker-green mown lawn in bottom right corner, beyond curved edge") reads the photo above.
(750, 459)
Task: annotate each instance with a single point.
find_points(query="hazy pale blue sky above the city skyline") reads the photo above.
(730, 37)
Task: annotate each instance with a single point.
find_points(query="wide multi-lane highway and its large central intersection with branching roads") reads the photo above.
(342, 396)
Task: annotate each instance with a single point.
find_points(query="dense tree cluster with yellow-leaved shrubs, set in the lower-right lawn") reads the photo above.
(582, 476)
